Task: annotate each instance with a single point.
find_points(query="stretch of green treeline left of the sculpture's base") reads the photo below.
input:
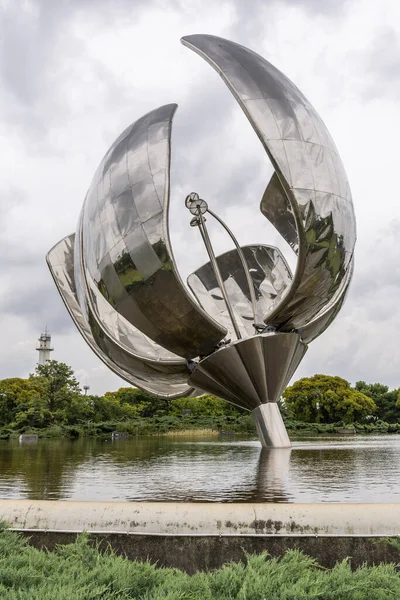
(51, 398)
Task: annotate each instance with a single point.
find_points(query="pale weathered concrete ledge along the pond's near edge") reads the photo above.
(203, 519)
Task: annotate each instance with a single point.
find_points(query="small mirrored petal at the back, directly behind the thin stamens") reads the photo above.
(270, 276)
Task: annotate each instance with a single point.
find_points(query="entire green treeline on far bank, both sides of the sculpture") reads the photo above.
(51, 400)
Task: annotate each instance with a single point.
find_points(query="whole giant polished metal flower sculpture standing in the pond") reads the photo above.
(246, 329)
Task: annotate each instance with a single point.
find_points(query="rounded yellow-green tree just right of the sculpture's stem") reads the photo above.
(327, 399)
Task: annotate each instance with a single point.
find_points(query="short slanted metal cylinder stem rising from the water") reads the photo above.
(270, 426)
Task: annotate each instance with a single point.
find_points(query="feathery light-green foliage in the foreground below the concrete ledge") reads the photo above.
(80, 572)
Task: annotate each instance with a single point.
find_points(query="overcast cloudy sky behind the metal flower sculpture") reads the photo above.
(75, 73)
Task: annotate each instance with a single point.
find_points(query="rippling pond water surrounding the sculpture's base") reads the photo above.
(319, 469)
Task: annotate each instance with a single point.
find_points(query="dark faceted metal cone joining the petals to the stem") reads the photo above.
(251, 372)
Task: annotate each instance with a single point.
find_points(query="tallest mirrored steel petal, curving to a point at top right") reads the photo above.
(309, 170)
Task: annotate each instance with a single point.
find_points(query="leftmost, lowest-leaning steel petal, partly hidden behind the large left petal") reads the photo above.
(161, 379)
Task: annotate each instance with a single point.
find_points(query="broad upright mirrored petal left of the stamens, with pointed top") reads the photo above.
(126, 252)
